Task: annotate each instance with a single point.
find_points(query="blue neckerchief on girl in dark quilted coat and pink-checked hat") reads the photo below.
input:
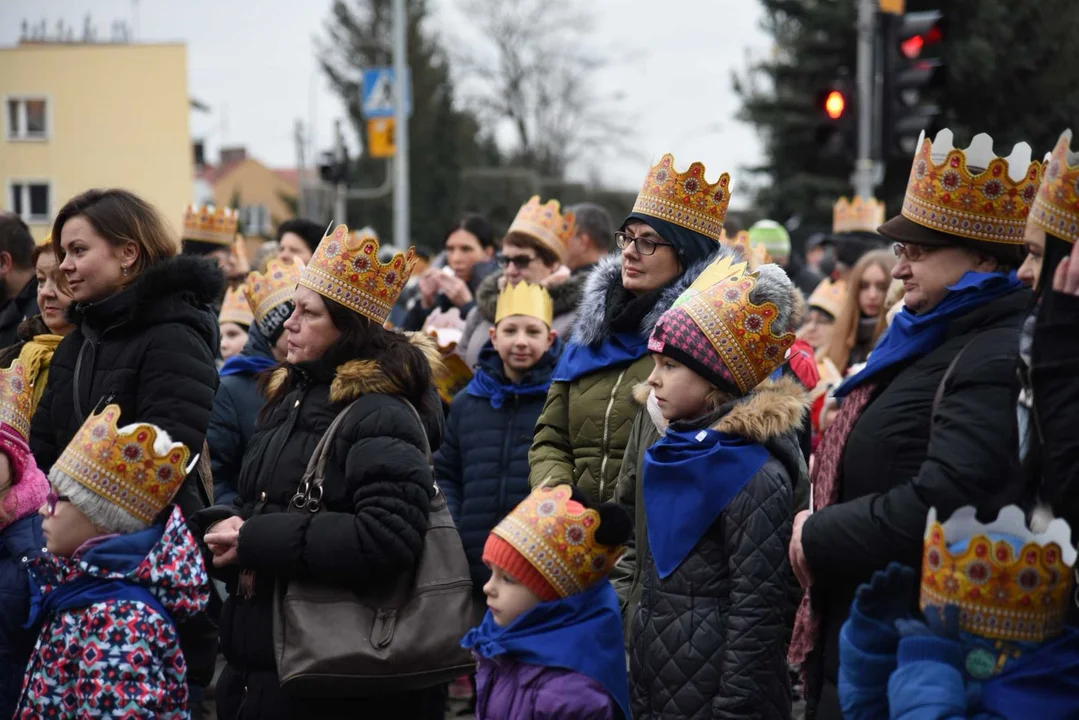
(689, 479)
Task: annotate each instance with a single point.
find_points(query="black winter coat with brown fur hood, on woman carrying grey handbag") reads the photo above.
(370, 533)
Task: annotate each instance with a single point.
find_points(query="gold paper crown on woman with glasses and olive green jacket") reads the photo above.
(686, 199)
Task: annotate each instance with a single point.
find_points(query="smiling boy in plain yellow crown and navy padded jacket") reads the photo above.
(484, 464)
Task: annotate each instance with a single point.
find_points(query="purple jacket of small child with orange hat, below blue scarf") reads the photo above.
(509, 689)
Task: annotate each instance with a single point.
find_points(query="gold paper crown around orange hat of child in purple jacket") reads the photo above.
(559, 540)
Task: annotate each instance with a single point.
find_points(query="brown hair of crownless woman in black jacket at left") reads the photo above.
(120, 216)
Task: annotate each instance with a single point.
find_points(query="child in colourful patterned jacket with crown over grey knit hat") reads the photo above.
(115, 585)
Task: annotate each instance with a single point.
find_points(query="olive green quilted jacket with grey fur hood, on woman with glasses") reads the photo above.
(582, 436)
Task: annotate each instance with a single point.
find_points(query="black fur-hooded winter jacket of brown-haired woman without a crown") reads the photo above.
(151, 350)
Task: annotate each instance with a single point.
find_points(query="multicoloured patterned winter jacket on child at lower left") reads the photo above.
(117, 658)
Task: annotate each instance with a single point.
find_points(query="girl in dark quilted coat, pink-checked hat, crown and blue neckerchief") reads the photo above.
(717, 490)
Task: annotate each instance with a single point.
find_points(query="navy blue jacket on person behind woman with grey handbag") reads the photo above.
(237, 405)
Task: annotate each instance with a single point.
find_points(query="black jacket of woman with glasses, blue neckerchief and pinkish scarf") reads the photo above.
(903, 458)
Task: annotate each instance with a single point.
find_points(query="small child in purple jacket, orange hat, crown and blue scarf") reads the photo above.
(551, 645)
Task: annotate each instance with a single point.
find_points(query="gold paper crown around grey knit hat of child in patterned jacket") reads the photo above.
(122, 465)
